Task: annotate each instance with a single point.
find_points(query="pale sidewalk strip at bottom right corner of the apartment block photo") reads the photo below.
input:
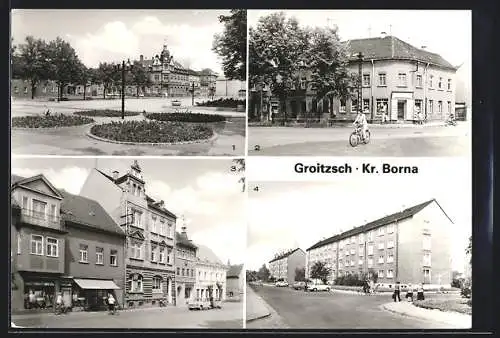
(454, 319)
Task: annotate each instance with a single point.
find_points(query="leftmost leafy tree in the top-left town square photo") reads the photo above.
(33, 64)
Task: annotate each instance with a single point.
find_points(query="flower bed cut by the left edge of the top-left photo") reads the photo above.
(51, 121)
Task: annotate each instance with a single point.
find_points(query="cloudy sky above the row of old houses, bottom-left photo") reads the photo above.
(205, 191)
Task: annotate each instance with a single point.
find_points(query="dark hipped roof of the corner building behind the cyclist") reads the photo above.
(391, 47)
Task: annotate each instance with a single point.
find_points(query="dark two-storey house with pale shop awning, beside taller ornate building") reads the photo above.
(94, 251)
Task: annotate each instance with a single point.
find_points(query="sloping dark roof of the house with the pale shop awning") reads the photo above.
(87, 212)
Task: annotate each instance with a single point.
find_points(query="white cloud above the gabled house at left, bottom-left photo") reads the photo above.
(70, 179)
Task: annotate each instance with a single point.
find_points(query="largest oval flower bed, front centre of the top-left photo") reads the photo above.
(152, 132)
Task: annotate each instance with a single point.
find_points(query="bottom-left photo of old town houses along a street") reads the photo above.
(127, 243)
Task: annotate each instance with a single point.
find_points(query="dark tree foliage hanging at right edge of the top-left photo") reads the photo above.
(231, 45)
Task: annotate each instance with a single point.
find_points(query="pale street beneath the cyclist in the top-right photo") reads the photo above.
(385, 141)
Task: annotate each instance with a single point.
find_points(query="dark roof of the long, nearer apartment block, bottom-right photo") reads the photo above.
(398, 216)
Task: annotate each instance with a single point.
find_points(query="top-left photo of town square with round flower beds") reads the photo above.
(128, 82)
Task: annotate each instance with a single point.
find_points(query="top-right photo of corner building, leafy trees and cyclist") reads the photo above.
(359, 83)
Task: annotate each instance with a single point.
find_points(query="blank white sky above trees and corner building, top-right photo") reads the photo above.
(446, 32)
